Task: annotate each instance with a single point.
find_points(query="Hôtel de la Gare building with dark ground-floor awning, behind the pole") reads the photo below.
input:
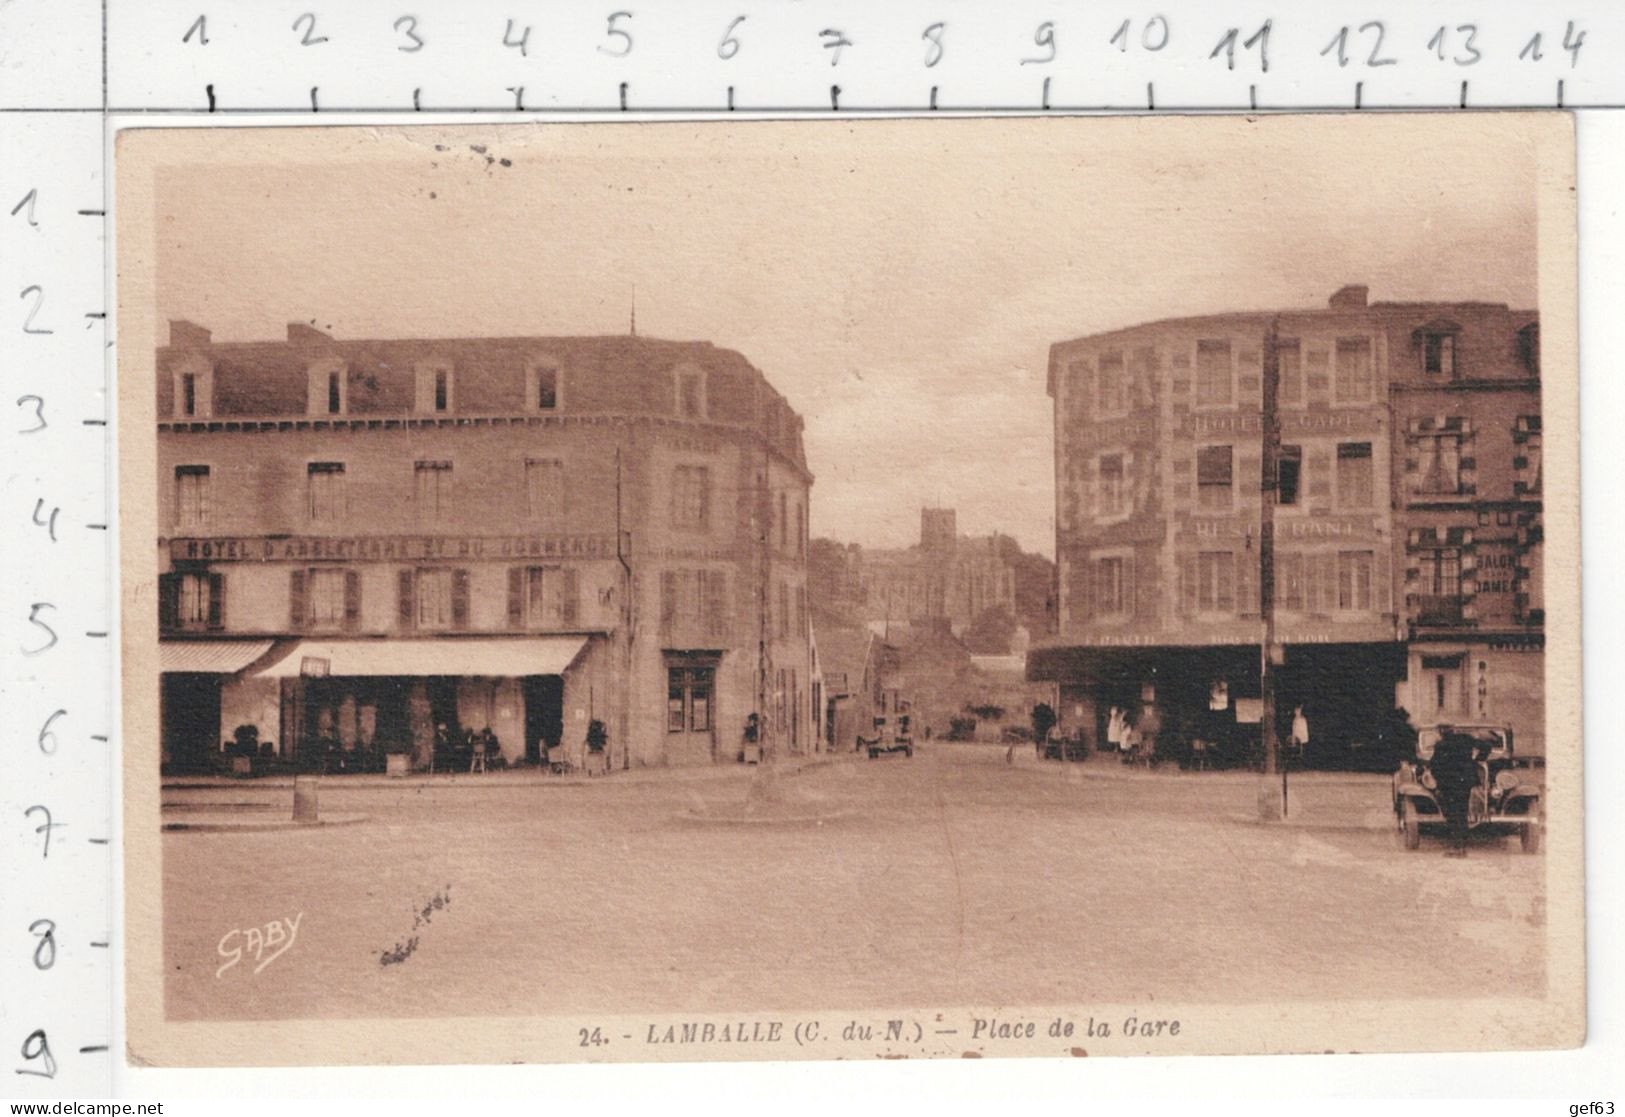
(1159, 448)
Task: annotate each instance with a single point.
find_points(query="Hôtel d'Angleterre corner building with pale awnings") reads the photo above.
(366, 541)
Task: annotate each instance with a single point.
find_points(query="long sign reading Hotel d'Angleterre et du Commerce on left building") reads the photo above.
(388, 549)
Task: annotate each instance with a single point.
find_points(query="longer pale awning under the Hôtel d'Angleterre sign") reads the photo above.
(500, 658)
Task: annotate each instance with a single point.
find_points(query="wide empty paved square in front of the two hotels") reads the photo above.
(950, 879)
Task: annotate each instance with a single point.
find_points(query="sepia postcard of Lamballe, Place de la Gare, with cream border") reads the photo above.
(784, 589)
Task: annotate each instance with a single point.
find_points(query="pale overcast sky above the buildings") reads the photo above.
(899, 282)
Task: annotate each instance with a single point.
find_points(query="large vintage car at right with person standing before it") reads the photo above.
(1507, 796)
